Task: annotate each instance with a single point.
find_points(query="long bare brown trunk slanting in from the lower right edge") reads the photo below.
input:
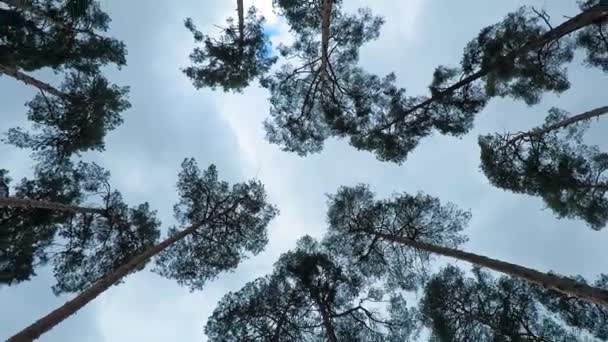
(549, 281)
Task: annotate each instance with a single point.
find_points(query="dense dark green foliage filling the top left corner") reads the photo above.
(58, 34)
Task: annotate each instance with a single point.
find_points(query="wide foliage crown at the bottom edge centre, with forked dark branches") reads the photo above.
(310, 297)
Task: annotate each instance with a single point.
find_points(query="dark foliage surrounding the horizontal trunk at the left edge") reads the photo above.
(81, 247)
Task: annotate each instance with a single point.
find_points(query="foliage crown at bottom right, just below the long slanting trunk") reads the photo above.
(480, 308)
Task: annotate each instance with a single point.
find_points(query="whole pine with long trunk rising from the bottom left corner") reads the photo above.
(225, 224)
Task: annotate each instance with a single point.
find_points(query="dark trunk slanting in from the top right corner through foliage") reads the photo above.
(583, 19)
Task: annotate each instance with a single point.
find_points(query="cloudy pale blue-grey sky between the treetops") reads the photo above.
(170, 120)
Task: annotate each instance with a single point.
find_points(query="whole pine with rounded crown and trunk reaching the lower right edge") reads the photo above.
(396, 238)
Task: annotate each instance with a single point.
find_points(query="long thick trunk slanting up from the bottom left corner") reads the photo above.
(56, 316)
